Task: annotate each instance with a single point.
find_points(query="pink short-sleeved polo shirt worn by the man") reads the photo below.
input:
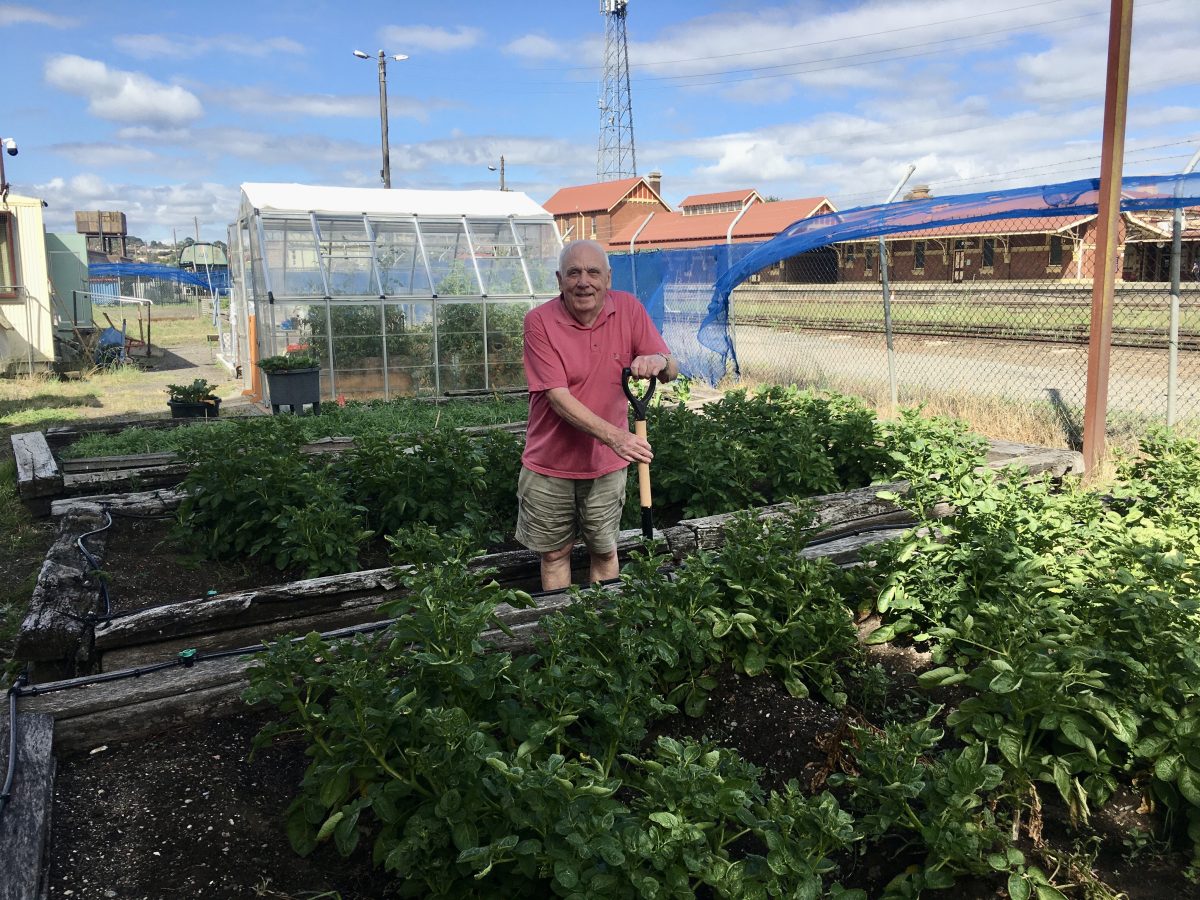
(562, 353)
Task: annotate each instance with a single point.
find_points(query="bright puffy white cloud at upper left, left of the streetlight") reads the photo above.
(122, 97)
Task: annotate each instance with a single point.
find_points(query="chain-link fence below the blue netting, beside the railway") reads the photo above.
(988, 321)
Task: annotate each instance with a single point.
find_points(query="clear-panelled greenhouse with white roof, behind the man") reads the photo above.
(399, 293)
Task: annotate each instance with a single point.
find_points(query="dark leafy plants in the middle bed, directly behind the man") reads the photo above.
(254, 494)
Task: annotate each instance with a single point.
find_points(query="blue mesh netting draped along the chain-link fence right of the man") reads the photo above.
(688, 291)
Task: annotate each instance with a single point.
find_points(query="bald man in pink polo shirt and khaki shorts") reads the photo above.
(579, 443)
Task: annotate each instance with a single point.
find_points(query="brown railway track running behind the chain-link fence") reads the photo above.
(1130, 338)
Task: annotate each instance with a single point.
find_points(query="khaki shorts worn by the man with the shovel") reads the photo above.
(551, 512)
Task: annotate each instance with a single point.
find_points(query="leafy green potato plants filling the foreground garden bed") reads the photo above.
(1065, 621)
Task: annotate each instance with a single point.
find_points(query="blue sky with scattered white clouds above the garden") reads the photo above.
(164, 110)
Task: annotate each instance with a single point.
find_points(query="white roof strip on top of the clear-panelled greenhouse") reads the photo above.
(375, 201)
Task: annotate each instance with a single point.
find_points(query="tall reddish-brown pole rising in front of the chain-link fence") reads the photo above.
(1100, 345)
